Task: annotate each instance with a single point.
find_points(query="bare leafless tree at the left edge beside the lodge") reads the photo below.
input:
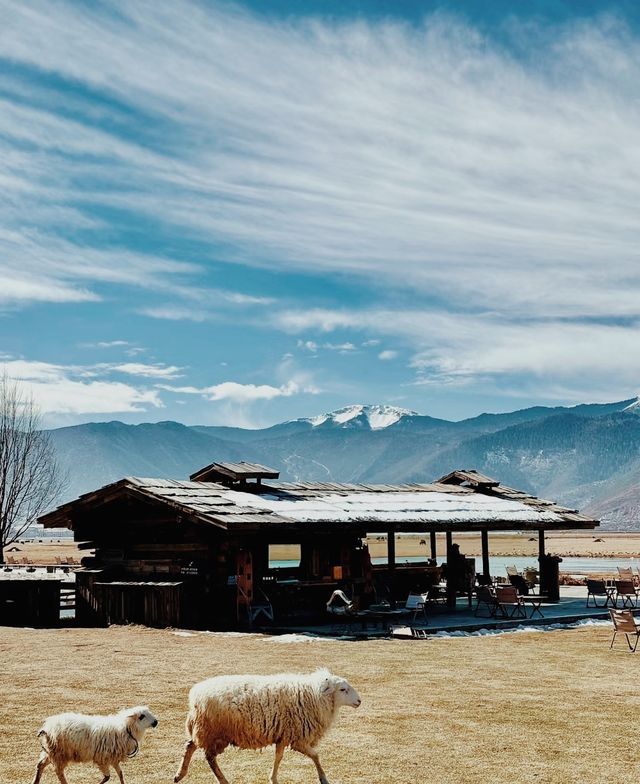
(30, 475)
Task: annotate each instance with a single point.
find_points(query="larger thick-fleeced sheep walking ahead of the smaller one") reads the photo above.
(254, 711)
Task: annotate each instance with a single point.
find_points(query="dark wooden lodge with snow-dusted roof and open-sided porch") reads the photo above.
(196, 553)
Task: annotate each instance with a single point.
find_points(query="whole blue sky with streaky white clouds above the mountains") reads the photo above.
(244, 213)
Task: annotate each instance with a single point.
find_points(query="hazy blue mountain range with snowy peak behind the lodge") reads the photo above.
(586, 457)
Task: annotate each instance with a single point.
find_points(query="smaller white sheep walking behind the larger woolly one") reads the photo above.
(104, 740)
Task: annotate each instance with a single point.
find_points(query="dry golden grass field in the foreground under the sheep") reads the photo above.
(552, 707)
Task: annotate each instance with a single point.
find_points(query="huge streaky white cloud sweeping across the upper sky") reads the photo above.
(430, 158)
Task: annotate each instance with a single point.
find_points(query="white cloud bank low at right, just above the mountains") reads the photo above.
(461, 348)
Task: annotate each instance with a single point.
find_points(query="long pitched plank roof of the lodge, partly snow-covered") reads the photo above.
(406, 507)
